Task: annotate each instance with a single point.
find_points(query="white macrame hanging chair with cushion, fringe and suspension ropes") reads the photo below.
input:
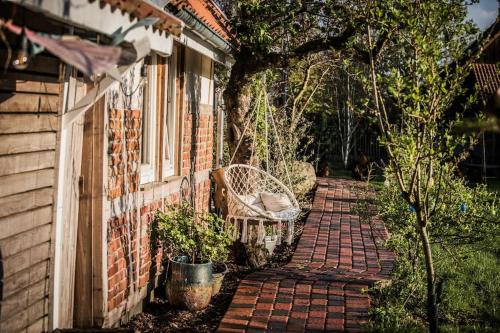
(251, 191)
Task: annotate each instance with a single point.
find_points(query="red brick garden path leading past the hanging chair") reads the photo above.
(322, 288)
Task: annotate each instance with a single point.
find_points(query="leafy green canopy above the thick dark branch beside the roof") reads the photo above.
(262, 25)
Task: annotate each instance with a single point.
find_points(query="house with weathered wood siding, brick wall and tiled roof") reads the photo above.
(86, 160)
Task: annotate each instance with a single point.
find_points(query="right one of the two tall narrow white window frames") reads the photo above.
(170, 119)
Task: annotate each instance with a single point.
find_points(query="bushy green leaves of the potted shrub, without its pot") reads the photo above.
(200, 235)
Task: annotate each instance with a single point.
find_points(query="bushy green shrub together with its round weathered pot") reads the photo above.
(192, 241)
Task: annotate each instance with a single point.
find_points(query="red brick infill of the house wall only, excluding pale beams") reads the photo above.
(150, 253)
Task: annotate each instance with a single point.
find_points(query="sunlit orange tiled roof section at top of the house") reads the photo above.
(210, 14)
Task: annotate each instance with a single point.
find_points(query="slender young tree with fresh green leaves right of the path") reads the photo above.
(413, 86)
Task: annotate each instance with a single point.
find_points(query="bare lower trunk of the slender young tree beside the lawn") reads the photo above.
(432, 310)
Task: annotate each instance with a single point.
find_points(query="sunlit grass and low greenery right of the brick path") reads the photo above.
(465, 236)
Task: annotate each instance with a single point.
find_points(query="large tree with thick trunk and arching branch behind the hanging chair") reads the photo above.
(274, 35)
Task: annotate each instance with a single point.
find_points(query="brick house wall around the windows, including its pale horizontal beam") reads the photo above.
(134, 208)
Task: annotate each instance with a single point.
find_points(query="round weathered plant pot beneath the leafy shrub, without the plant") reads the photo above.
(189, 285)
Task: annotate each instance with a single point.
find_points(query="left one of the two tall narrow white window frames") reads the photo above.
(149, 124)
